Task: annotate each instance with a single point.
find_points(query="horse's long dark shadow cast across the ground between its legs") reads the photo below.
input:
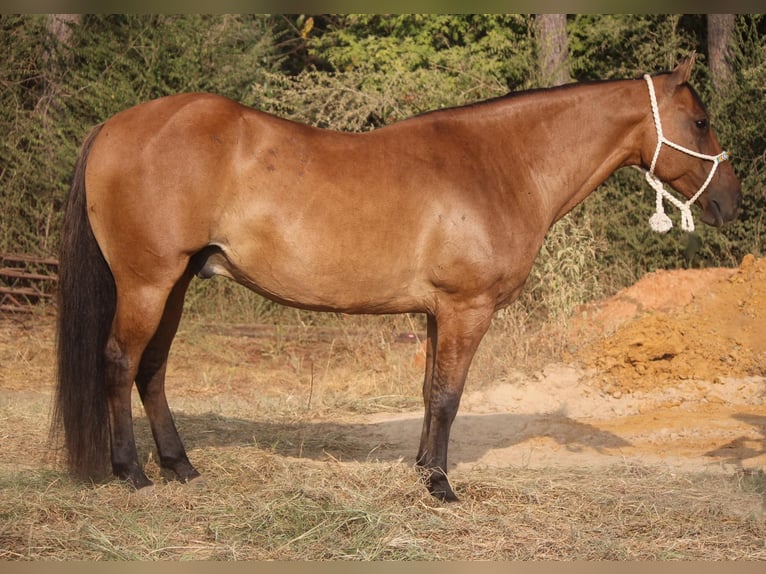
(389, 440)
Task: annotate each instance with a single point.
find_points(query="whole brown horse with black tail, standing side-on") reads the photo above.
(441, 214)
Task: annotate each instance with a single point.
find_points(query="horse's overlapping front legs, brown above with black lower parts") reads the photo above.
(454, 337)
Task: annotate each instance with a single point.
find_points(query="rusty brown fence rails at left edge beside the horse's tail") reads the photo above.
(26, 282)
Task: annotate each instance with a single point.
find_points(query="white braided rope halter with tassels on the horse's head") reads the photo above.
(660, 222)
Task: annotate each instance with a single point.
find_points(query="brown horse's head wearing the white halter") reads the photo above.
(683, 151)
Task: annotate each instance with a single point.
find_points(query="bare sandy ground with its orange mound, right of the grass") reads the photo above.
(670, 371)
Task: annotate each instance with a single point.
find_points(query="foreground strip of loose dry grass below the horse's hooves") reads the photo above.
(254, 505)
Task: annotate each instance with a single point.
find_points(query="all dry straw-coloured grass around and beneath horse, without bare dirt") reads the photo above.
(288, 478)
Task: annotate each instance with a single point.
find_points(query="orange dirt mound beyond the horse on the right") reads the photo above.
(649, 340)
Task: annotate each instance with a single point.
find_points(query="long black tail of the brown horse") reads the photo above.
(86, 307)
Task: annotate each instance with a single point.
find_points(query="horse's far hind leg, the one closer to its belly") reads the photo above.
(150, 381)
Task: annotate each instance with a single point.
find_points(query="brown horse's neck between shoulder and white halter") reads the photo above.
(566, 142)
